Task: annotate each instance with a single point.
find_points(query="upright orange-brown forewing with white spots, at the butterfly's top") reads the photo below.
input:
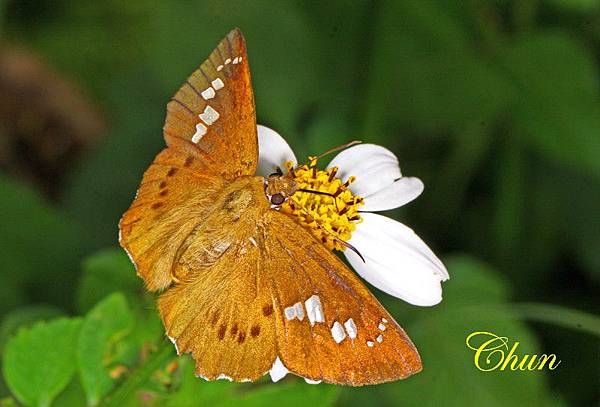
(214, 109)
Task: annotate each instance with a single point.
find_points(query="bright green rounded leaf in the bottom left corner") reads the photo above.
(40, 361)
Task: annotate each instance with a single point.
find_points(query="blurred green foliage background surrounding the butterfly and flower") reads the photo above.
(495, 105)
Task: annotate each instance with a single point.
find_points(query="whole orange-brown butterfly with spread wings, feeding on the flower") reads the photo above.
(245, 289)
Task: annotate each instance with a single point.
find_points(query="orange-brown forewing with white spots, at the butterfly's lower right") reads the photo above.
(351, 338)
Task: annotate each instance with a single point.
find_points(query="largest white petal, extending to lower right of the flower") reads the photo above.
(397, 261)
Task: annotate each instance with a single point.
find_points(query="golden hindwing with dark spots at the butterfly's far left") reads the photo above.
(175, 195)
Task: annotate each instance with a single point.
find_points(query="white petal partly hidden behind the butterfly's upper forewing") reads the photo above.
(273, 151)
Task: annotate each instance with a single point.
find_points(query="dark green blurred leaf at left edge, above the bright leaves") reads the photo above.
(40, 248)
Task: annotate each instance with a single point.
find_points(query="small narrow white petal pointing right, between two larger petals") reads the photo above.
(394, 195)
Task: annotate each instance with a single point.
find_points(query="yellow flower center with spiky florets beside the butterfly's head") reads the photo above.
(324, 204)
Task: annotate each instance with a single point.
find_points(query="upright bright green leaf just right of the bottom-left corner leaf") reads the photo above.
(103, 327)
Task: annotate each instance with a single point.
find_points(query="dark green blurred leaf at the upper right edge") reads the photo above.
(557, 108)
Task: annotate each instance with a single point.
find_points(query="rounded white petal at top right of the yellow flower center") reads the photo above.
(374, 167)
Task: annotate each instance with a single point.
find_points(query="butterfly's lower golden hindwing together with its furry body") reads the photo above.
(222, 312)
